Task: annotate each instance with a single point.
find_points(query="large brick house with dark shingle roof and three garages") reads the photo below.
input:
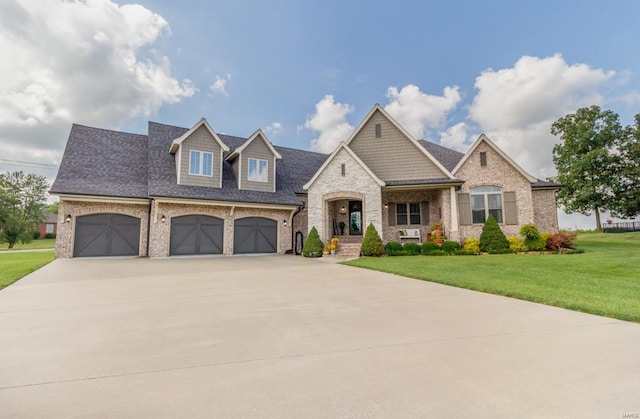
(179, 191)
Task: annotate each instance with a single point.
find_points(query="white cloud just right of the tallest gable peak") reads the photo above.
(417, 111)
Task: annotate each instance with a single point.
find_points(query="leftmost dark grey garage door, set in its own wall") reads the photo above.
(107, 235)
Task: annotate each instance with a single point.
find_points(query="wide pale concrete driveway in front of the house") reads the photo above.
(284, 336)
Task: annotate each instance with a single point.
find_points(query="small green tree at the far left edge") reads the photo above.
(22, 206)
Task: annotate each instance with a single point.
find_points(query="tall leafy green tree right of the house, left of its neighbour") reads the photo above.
(588, 160)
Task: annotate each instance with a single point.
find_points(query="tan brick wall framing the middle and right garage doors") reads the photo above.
(160, 238)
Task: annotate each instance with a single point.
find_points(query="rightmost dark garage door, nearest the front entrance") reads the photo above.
(255, 235)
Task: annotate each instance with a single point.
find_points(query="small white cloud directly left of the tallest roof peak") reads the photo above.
(330, 120)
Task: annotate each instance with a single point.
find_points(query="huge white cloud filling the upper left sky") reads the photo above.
(87, 62)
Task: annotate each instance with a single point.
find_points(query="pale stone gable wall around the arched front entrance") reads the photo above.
(331, 185)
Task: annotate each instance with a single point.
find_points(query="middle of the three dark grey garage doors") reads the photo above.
(196, 235)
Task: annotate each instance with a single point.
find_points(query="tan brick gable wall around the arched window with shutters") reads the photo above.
(498, 172)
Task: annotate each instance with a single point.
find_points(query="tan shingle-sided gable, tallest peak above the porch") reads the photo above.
(392, 156)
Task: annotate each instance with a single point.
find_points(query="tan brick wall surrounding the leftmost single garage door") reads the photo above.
(66, 231)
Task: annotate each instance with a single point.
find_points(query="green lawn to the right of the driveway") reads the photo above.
(605, 280)
